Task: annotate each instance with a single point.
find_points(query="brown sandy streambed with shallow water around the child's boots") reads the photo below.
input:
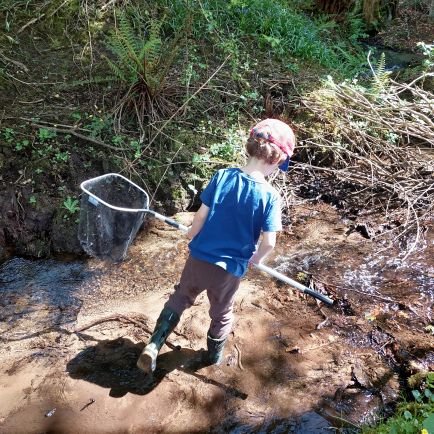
(72, 331)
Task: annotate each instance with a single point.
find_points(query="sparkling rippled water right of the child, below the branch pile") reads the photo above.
(395, 285)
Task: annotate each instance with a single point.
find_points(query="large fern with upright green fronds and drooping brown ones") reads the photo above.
(142, 61)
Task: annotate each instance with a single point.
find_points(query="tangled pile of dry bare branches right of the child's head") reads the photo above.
(381, 142)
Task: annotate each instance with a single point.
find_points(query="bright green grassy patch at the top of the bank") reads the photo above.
(275, 28)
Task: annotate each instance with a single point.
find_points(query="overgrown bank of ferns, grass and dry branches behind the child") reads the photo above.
(165, 93)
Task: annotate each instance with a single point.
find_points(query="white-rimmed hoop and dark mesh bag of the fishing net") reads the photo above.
(111, 212)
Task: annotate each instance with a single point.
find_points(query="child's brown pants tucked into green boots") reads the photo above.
(220, 288)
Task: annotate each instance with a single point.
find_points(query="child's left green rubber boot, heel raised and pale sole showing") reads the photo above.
(166, 322)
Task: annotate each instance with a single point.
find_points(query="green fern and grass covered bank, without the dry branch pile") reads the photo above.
(164, 113)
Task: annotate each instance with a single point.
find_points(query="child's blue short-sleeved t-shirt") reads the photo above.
(239, 208)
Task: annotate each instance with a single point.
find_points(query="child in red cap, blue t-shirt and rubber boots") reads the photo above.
(236, 206)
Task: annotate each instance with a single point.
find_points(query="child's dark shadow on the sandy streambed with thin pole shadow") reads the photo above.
(112, 364)
